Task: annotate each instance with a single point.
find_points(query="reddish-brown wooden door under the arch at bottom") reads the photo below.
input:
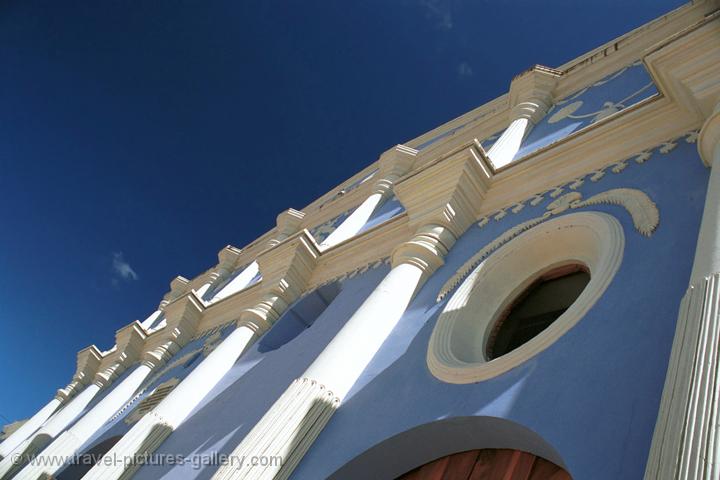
(488, 464)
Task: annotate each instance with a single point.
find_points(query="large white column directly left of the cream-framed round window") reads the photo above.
(293, 423)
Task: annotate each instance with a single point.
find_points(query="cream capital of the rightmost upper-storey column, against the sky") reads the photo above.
(531, 93)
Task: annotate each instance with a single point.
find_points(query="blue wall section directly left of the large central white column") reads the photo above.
(261, 375)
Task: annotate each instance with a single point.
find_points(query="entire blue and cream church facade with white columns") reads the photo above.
(529, 291)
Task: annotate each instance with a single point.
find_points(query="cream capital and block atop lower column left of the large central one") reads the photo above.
(286, 270)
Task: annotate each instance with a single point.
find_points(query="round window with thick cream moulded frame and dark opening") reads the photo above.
(525, 296)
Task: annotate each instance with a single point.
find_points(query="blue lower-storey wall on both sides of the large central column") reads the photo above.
(593, 395)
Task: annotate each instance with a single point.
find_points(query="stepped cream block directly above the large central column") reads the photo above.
(449, 191)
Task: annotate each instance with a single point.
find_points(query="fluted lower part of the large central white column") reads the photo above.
(283, 435)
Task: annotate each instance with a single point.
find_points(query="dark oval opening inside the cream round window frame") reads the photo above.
(536, 308)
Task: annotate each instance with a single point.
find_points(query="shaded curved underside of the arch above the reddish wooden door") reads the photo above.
(415, 447)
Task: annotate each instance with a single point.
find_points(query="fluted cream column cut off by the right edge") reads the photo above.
(686, 442)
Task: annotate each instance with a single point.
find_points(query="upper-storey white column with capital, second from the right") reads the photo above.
(394, 163)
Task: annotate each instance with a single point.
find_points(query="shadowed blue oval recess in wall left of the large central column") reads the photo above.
(300, 316)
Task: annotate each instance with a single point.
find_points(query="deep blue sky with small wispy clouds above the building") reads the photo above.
(147, 135)
